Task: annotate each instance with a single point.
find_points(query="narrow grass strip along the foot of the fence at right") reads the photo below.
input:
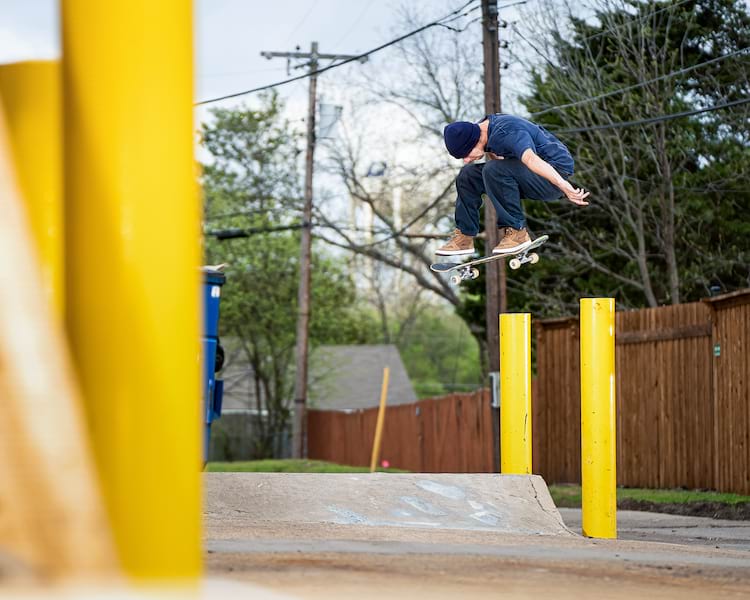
(569, 496)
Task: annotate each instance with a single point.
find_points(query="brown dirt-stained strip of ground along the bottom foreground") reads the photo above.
(328, 575)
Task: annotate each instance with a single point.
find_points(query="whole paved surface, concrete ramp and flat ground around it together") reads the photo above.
(366, 547)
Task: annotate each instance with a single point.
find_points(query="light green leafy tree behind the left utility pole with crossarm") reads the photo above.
(251, 183)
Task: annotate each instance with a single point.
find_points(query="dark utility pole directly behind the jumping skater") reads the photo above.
(495, 273)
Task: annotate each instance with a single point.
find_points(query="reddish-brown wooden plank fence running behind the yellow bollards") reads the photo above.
(683, 406)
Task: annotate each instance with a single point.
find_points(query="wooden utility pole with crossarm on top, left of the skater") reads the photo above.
(299, 429)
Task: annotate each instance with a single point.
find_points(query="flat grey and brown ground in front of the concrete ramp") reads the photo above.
(330, 561)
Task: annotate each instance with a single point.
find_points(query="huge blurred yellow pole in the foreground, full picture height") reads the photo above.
(133, 254)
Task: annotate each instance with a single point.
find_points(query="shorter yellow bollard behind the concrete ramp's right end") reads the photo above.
(515, 393)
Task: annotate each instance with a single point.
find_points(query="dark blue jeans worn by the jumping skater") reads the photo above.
(506, 182)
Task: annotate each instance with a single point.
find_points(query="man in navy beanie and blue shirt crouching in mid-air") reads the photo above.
(524, 161)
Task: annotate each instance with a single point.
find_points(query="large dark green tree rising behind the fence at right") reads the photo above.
(668, 198)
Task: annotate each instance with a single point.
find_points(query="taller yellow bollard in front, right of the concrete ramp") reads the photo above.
(598, 421)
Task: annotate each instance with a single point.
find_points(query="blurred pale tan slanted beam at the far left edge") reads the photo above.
(52, 517)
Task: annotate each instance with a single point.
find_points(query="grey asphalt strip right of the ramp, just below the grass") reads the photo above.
(673, 529)
